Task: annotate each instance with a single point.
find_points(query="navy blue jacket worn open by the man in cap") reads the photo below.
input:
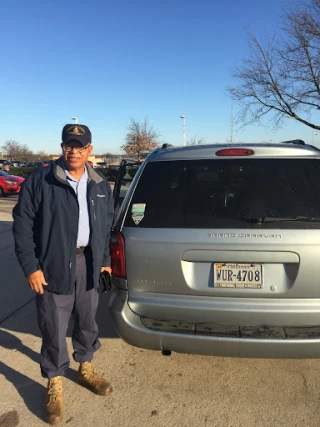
(45, 226)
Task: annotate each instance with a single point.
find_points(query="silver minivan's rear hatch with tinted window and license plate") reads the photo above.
(225, 228)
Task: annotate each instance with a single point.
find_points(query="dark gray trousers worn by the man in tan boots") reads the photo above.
(54, 312)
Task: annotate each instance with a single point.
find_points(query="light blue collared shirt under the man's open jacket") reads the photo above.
(80, 188)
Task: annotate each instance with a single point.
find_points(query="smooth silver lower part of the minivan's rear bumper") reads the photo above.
(131, 329)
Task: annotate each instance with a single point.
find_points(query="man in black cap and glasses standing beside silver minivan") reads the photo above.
(62, 228)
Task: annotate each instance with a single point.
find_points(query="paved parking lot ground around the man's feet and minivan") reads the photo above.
(149, 389)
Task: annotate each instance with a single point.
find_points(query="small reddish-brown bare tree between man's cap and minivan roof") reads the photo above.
(141, 138)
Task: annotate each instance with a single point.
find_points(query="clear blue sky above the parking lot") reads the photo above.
(105, 61)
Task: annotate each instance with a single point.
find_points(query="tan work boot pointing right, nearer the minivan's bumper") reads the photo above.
(89, 378)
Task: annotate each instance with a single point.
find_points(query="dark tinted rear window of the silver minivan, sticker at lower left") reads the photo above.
(227, 193)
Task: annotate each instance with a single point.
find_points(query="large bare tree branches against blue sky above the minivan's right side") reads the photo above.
(281, 77)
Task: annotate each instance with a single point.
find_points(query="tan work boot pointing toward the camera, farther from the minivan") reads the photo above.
(54, 409)
